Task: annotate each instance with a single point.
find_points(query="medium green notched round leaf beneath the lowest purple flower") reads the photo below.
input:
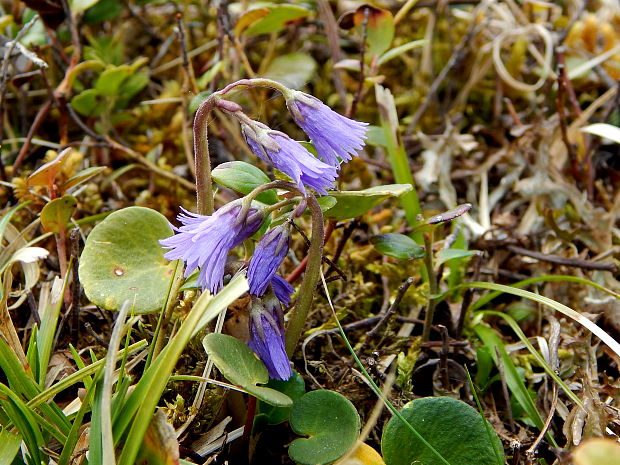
(331, 422)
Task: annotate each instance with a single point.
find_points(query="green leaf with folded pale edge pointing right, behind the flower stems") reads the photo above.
(350, 204)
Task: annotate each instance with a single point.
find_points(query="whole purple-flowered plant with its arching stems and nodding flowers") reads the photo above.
(204, 240)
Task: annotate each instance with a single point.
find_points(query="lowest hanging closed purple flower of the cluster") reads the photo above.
(267, 336)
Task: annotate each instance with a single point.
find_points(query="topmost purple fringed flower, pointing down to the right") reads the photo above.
(334, 136)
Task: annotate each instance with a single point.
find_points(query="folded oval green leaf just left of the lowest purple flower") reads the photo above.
(242, 367)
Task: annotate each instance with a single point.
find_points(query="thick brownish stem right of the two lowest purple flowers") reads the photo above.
(308, 285)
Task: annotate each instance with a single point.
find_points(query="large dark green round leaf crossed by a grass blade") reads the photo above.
(453, 428)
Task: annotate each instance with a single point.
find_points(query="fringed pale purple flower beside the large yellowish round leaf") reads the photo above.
(205, 241)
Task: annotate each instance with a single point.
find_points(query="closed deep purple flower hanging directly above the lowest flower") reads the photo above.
(267, 258)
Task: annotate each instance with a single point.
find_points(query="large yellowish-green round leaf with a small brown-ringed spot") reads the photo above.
(123, 260)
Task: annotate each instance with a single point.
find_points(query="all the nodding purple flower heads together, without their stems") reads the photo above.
(205, 242)
